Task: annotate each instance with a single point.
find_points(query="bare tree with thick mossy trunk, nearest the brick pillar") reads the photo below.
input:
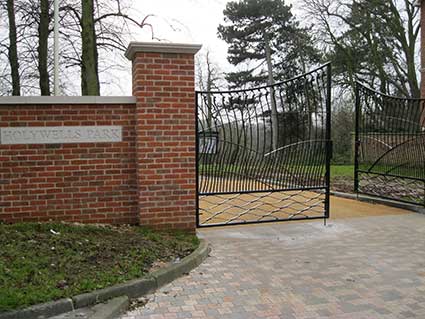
(99, 28)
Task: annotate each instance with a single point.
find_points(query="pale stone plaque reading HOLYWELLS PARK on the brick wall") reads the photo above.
(60, 134)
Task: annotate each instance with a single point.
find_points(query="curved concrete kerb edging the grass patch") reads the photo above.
(132, 289)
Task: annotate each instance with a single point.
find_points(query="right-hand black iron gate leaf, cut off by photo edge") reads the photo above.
(390, 146)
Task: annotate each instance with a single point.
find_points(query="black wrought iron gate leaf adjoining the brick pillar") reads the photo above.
(263, 154)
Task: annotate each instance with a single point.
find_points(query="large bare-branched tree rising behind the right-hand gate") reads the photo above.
(370, 40)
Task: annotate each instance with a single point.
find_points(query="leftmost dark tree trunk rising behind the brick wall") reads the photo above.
(13, 49)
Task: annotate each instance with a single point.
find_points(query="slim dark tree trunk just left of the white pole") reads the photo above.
(43, 47)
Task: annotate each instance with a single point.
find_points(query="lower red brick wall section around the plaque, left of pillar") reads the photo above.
(93, 183)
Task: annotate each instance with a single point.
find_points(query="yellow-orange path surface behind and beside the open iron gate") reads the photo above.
(284, 205)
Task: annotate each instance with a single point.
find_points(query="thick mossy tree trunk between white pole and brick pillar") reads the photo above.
(89, 68)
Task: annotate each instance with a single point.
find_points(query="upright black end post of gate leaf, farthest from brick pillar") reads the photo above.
(328, 139)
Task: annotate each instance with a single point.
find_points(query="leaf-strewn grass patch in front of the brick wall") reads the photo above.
(44, 262)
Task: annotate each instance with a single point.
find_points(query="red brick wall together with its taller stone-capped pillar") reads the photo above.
(148, 178)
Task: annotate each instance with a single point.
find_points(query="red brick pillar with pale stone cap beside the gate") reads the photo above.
(163, 83)
